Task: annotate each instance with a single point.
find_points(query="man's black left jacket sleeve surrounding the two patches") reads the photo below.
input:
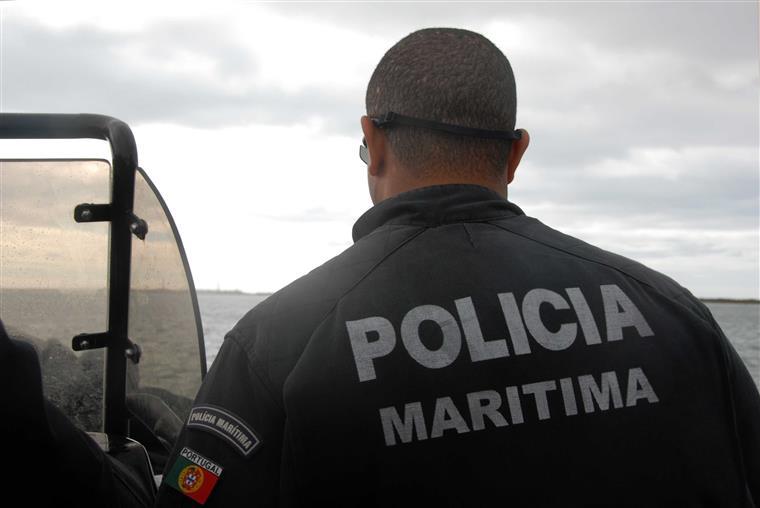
(235, 386)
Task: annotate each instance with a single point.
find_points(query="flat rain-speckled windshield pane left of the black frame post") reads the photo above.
(54, 274)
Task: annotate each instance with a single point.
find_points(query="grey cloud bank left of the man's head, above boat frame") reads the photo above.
(82, 69)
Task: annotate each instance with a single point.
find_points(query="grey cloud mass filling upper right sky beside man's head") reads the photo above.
(680, 101)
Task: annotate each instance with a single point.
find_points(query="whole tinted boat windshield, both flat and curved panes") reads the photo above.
(54, 286)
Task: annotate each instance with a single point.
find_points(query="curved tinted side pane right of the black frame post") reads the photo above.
(162, 317)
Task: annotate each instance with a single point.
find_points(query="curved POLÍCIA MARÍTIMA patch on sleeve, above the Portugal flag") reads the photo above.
(224, 424)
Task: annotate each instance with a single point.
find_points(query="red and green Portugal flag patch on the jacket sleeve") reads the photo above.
(193, 475)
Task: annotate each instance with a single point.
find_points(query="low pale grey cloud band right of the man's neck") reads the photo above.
(694, 201)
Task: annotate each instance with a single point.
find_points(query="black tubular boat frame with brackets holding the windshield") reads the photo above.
(119, 212)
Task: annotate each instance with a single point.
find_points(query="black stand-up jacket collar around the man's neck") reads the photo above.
(436, 205)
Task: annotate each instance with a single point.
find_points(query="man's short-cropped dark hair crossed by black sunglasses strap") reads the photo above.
(448, 75)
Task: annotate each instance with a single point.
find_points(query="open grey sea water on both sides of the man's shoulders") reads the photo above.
(740, 322)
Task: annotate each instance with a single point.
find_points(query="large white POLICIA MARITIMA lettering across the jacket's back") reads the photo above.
(619, 312)
